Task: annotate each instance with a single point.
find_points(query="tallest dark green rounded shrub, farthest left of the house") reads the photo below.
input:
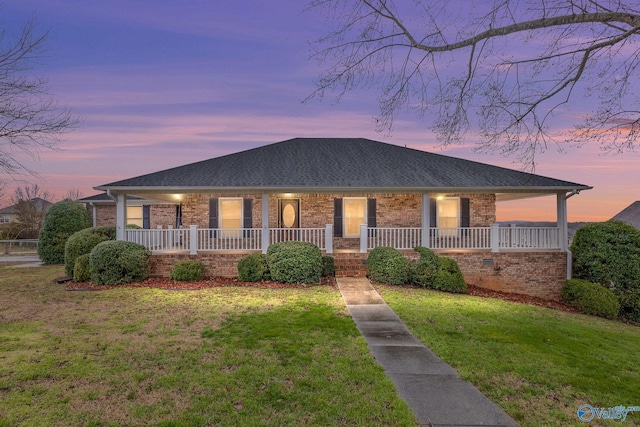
(60, 222)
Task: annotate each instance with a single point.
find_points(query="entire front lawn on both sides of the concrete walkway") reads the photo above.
(245, 356)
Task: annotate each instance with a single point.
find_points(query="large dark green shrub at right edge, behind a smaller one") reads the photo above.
(608, 253)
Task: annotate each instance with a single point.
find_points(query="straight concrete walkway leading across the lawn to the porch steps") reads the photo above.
(432, 389)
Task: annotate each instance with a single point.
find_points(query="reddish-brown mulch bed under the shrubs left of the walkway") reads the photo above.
(174, 285)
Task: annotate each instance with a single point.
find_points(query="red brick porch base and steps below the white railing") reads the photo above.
(539, 274)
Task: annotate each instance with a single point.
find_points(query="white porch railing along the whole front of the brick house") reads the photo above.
(492, 238)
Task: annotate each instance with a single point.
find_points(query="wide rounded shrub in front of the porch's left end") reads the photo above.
(116, 262)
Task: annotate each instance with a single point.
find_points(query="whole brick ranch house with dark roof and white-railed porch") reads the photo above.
(349, 196)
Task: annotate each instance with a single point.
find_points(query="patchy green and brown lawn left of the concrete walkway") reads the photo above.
(222, 356)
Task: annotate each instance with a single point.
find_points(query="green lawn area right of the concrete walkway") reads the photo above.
(538, 364)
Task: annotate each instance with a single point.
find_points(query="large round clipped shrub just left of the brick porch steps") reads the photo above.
(295, 262)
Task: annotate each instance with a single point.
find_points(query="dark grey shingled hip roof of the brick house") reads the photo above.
(344, 164)
